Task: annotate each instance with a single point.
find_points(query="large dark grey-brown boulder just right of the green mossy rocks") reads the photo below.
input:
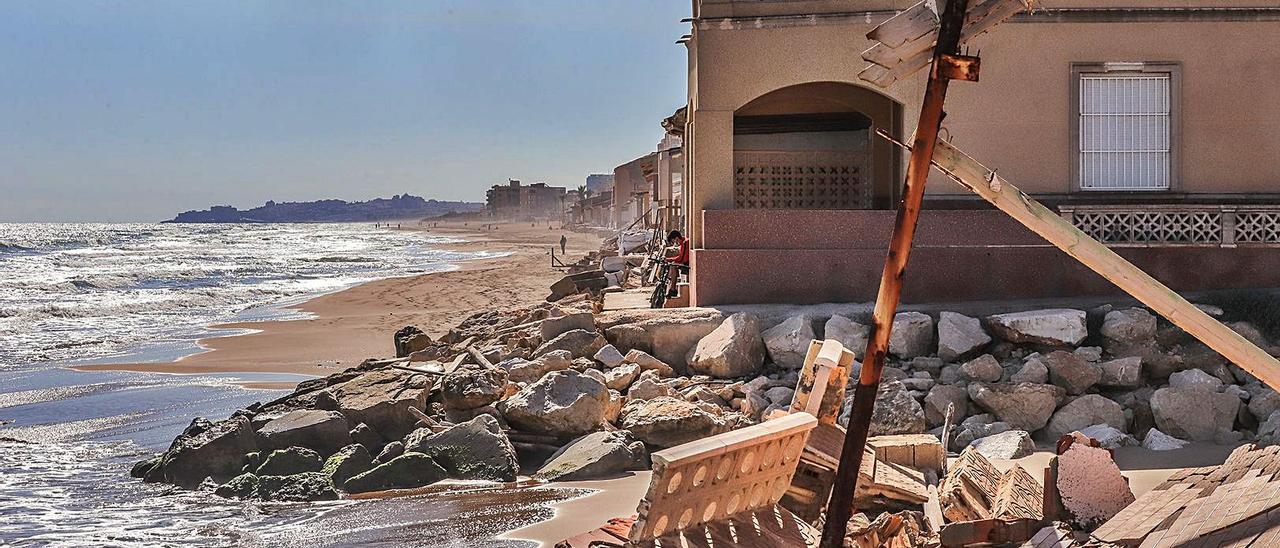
(477, 450)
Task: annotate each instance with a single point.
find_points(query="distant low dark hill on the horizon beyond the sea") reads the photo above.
(400, 207)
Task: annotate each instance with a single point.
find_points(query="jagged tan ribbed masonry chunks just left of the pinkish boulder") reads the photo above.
(976, 491)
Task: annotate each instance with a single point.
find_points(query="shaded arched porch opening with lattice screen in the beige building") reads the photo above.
(815, 147)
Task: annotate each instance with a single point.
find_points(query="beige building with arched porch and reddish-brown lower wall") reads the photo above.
(1150, 124)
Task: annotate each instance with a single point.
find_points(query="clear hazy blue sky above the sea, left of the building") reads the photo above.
(122, 111)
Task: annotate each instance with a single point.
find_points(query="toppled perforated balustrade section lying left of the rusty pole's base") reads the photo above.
(729, 481)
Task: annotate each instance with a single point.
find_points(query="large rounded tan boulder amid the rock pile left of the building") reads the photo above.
(564, 404)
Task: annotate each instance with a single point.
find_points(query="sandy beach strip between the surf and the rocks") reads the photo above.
(358, 323)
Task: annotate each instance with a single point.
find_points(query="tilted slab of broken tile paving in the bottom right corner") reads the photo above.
(1233, 505)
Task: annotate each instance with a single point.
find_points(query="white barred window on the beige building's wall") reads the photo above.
(1126, 133)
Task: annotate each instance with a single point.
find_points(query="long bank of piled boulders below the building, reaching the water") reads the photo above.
(559, 392)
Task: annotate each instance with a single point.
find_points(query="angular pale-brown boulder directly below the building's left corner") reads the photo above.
(733, 350)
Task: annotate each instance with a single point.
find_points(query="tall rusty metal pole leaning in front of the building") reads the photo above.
(947, 66)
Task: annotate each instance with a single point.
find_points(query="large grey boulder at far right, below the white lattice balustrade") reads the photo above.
(1194, 414)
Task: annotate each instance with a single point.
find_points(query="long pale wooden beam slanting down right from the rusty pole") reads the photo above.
(1099, 258)
